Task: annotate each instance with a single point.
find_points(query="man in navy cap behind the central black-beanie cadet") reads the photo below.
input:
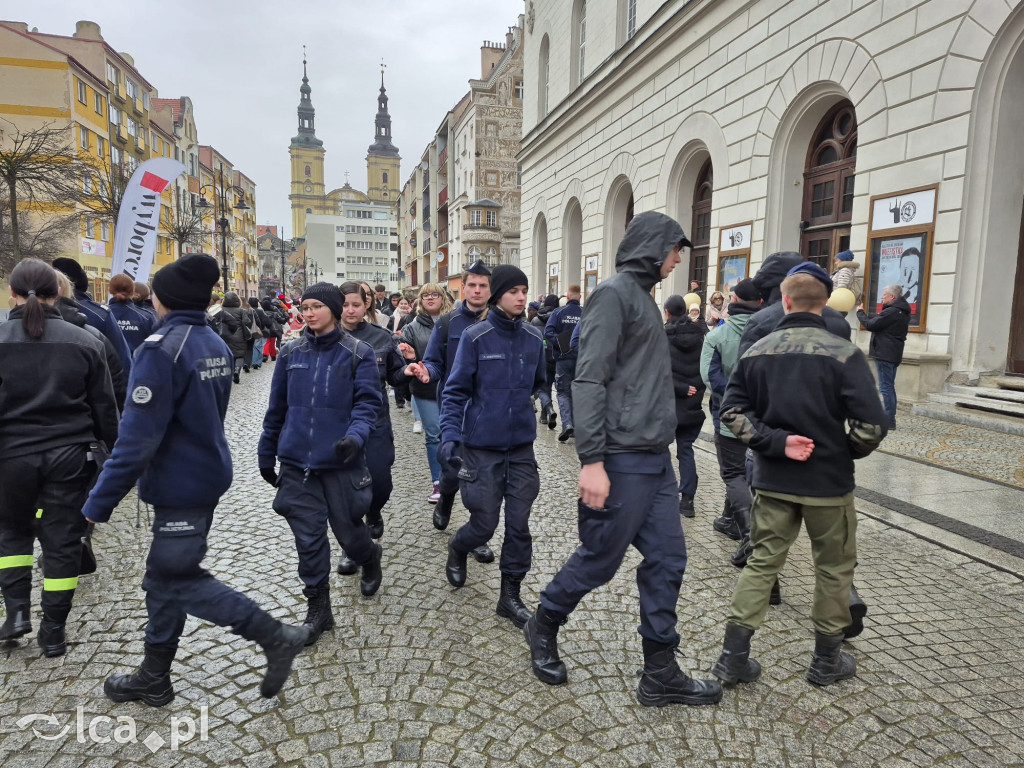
(440, 360)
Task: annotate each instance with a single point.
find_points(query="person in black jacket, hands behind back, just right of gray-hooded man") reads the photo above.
(686, 344)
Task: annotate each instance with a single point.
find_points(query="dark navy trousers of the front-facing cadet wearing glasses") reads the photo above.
(312, 501)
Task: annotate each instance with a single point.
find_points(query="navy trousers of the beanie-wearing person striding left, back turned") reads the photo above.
(178, 586)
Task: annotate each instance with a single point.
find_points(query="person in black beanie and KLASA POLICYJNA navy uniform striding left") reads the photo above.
(173, 437)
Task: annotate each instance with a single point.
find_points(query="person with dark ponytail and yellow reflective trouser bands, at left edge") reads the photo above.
(56, 403)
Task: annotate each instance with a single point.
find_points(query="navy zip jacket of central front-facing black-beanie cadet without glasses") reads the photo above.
(486, 403)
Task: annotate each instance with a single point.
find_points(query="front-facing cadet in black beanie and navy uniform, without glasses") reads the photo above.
(487, 410)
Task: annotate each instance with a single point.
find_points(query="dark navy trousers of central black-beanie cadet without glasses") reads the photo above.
(488, 478)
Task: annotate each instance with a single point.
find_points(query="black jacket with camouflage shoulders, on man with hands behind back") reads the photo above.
(803, 380)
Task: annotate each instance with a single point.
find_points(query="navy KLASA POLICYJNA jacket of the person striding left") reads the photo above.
(173, 429)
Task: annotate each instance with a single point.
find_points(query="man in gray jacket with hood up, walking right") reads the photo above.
(625, 422)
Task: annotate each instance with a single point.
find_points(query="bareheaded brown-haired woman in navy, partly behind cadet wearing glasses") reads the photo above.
(380, 445)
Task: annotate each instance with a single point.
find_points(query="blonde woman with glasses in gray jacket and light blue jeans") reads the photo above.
(434, 303)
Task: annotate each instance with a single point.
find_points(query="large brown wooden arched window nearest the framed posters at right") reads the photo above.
(829, 180)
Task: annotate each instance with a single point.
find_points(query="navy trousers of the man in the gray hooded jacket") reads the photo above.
(644, 510)
